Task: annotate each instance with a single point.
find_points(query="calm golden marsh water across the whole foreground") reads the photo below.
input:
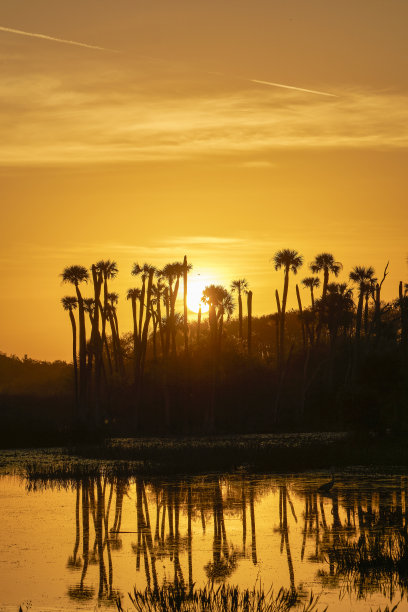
(78, 545)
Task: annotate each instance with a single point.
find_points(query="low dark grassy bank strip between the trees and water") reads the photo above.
(193, 455)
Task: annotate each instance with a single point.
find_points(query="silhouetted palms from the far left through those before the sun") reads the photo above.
(155, 320)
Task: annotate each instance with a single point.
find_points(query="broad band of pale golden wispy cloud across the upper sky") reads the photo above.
(48, 122)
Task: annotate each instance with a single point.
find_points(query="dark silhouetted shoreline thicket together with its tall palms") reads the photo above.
(337, 363)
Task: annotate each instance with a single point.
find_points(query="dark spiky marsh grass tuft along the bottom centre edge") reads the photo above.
(225, 598)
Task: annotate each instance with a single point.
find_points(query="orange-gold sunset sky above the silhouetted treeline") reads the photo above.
(163, 133)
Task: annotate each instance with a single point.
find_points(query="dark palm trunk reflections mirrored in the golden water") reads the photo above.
(355, 537)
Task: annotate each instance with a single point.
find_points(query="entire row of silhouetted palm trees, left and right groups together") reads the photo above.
(99, 356)
